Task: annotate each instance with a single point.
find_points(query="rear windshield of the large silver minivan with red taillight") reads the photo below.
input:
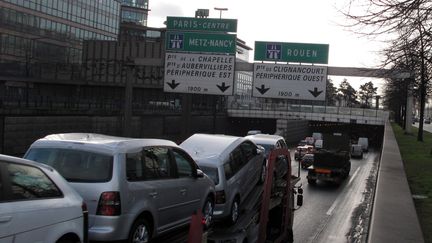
(75, 165)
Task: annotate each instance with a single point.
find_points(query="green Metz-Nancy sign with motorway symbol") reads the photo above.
(200, 42)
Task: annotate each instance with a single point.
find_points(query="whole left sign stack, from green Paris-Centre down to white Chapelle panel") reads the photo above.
(200, 56)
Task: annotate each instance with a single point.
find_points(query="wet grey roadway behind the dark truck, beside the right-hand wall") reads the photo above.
(333, 213)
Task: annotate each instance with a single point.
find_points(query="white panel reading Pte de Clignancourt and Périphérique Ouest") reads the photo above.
(287, 81)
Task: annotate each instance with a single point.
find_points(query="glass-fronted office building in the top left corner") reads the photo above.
(53, 30)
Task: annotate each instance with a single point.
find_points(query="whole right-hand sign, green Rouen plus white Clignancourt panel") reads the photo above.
(289, 81)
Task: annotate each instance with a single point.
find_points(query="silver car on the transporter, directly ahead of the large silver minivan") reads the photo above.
(234, 163)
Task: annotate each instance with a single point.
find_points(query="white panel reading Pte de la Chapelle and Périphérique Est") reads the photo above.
(199, 73)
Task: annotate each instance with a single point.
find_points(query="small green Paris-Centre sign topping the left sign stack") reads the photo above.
(202, 24)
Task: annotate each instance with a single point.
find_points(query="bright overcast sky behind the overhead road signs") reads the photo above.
(304, 21)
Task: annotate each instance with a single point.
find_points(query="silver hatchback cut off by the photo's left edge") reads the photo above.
(38, 205)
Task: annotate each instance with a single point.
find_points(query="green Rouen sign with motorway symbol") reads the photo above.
(291, 52)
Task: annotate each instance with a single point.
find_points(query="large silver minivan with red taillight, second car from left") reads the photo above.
(135, 189)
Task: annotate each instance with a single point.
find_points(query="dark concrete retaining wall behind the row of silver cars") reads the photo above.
(18, 133)
